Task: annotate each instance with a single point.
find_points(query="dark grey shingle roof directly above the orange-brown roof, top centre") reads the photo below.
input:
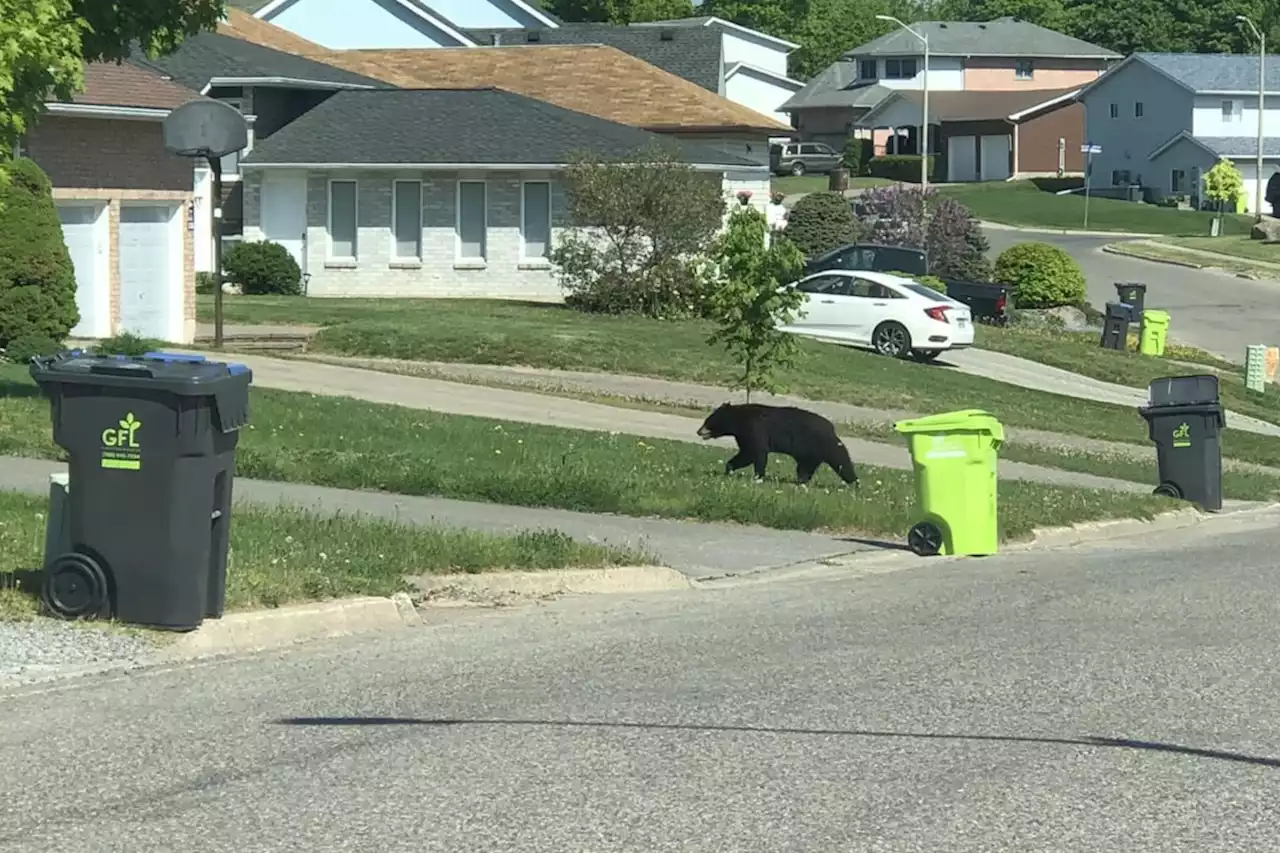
(692, 53)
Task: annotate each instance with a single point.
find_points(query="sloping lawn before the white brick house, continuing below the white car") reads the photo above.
(552, 336)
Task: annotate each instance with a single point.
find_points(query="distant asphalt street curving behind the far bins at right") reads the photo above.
(1213, 311)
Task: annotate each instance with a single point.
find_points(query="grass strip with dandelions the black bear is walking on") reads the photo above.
(348, 444)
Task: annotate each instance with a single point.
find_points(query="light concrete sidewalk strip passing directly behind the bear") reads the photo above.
(523, 407)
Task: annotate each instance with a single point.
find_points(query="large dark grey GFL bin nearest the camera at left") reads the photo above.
(152, 449)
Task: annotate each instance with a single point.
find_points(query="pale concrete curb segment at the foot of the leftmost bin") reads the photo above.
(264, 630)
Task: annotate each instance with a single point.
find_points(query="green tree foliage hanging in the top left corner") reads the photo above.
(45, 43)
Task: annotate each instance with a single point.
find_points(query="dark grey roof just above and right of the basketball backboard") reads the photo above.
(208, 56)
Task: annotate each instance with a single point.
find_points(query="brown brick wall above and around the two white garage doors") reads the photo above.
(113, 163)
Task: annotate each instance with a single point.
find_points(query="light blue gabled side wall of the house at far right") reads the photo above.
(1127, 142)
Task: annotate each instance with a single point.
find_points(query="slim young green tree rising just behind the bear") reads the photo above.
(751, 302)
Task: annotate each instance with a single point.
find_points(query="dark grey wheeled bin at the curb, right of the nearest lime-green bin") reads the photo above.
(1186, 421)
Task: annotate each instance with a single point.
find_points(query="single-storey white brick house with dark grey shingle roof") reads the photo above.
(438, 193)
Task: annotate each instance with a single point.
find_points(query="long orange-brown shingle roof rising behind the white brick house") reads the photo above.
(587, 79)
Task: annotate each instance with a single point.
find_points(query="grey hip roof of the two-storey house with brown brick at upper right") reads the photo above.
(999, 38)
